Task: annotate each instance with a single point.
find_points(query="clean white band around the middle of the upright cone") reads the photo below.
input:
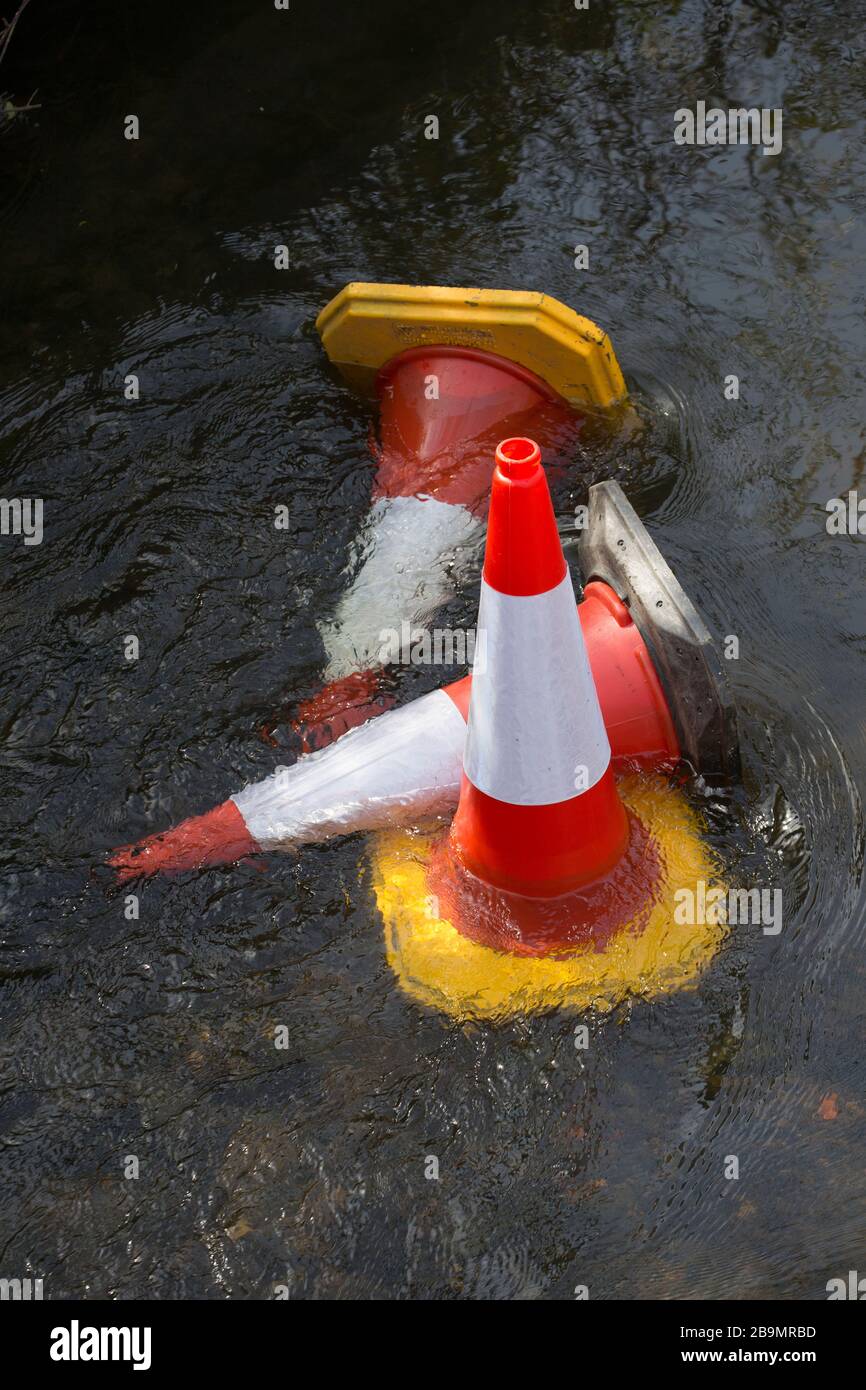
(546, 750)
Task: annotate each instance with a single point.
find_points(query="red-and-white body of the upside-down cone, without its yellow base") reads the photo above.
(443, 411)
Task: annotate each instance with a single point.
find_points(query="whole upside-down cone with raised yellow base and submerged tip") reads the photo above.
(455, 370)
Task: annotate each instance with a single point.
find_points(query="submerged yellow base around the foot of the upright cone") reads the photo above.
(440, 967)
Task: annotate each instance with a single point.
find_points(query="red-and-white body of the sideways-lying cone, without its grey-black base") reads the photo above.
(408, 764)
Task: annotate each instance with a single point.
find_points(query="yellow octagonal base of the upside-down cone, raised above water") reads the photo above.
(366, 326)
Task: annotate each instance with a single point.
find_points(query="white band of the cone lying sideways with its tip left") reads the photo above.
(397, 768)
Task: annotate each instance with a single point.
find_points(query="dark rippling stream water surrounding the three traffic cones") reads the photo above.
(155, 1038)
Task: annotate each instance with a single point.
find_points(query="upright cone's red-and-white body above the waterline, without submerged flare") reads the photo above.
(539, 811)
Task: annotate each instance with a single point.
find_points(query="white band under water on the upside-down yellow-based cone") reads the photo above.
(407, 558)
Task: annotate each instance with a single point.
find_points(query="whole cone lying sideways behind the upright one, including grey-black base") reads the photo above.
(408, 764)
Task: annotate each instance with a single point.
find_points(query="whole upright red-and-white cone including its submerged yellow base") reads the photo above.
(544, 864)
